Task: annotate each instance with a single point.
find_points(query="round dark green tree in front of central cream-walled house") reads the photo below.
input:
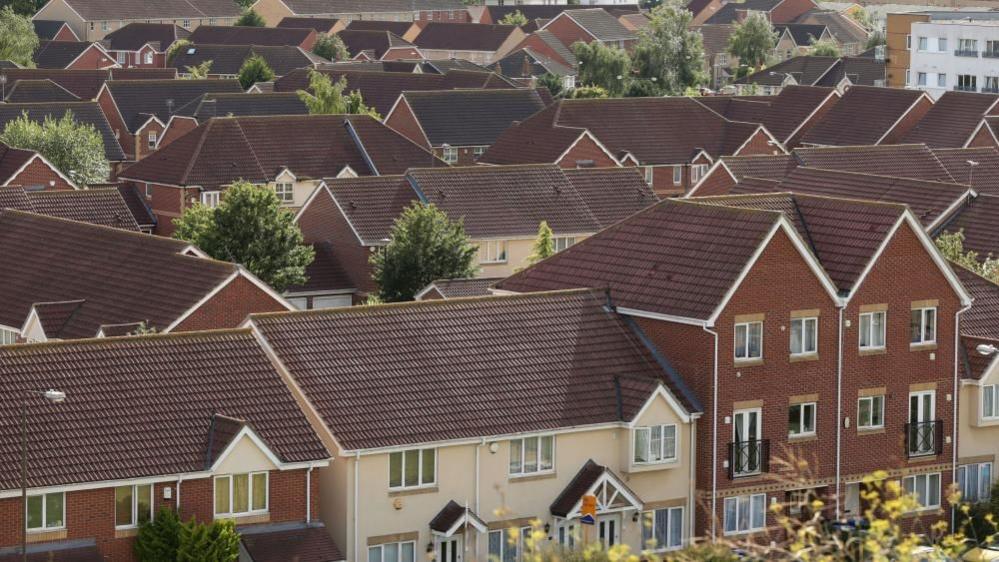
(424, 245)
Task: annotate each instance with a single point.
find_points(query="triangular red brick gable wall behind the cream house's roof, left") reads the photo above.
(230, 306)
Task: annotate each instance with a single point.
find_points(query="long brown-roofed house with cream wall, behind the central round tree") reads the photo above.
(501, 208)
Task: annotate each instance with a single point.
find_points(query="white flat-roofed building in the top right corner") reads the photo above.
(954, 55)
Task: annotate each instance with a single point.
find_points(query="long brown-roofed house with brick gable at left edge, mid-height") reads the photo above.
(66, 280)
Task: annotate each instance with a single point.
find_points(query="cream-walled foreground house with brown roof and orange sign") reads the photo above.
(608, 416)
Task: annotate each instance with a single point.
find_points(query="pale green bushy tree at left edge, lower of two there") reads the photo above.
(76, 149)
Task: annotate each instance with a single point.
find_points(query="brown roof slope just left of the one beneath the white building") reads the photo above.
(862, 116)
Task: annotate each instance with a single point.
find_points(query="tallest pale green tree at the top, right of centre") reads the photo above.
(669, 50)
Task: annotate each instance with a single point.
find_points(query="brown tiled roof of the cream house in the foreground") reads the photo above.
(465, 368)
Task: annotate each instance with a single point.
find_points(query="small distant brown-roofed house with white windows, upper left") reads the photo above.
(143, 45)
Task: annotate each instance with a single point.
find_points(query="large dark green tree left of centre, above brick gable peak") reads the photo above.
(249, 227)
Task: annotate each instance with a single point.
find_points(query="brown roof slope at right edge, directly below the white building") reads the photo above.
(952, 119)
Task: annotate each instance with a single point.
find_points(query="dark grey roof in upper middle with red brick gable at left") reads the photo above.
(471, 117)
